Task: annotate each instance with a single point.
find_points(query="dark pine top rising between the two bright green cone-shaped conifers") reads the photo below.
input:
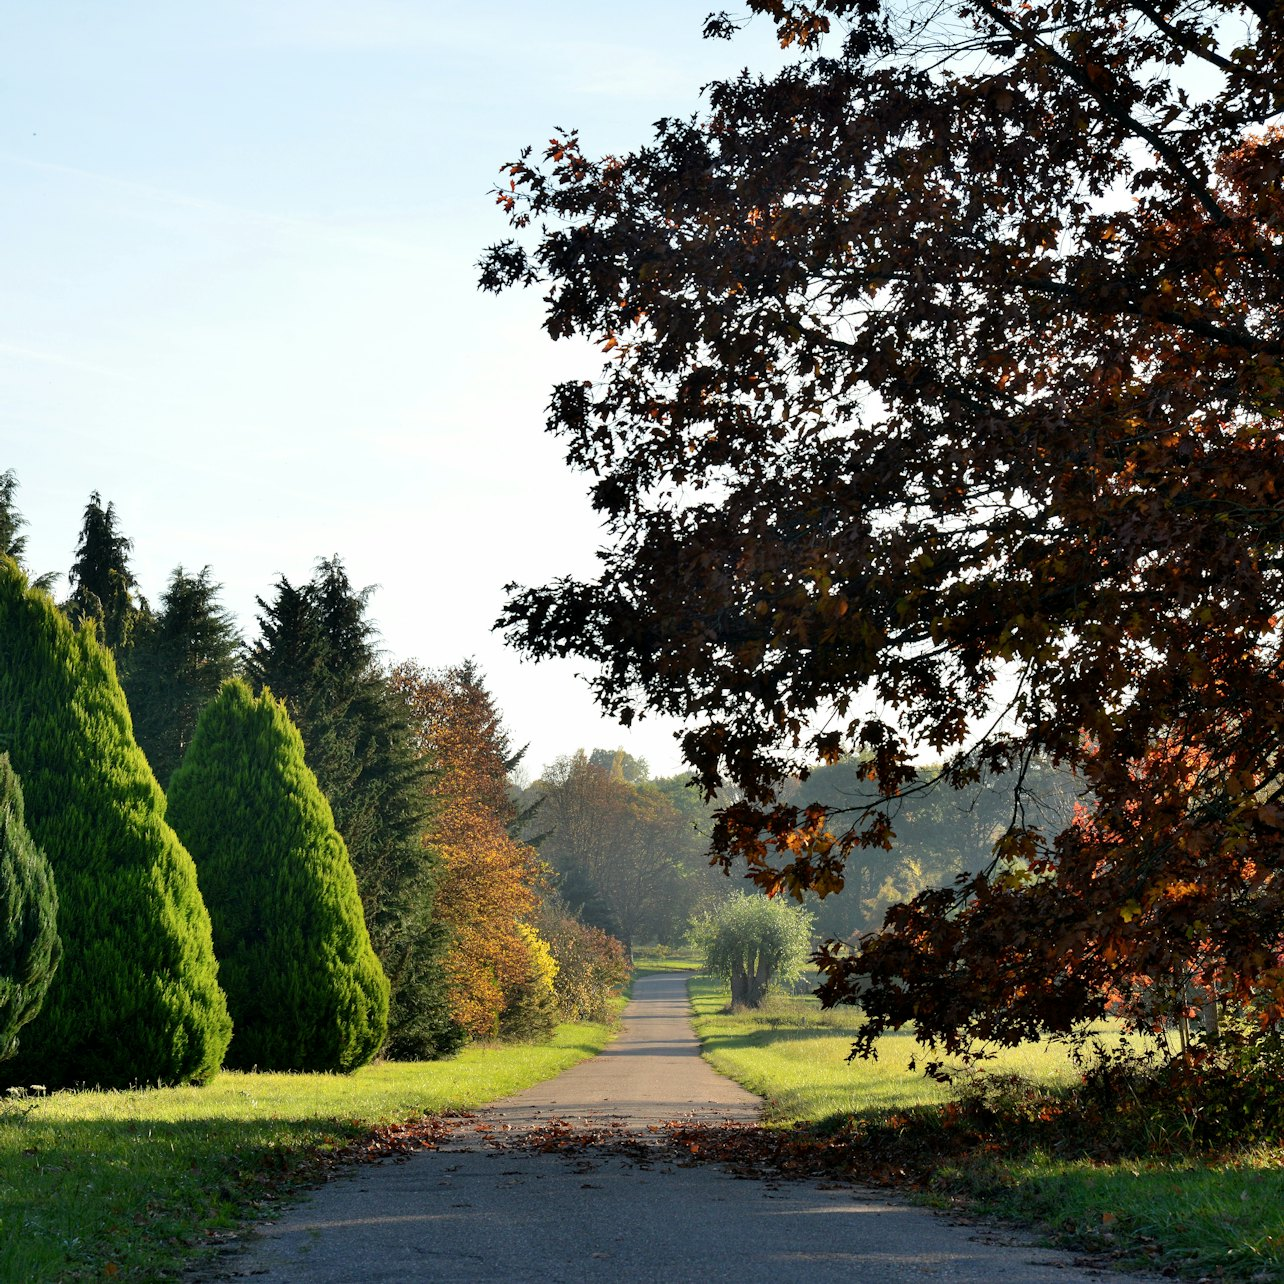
(177, 667)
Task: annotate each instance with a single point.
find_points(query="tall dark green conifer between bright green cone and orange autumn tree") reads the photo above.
(319, 653)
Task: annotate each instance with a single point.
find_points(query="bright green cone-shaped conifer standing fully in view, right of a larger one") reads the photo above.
(304, 984)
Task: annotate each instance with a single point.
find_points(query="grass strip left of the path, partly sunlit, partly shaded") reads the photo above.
(137, 1184)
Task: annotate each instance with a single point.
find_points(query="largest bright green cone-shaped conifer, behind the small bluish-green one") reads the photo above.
(137, 998)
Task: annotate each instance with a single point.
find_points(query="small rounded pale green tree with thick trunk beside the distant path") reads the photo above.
(754, 943)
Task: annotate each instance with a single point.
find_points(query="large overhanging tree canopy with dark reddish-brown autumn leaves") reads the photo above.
(942, 413)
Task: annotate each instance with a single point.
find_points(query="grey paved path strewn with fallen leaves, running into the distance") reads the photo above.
(517, 1211)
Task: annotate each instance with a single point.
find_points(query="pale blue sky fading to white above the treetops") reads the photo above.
(238, 252)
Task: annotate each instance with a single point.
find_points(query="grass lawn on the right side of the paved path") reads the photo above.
(1192, 1217)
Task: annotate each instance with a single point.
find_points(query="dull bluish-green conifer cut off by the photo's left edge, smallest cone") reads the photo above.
(29, 917)
